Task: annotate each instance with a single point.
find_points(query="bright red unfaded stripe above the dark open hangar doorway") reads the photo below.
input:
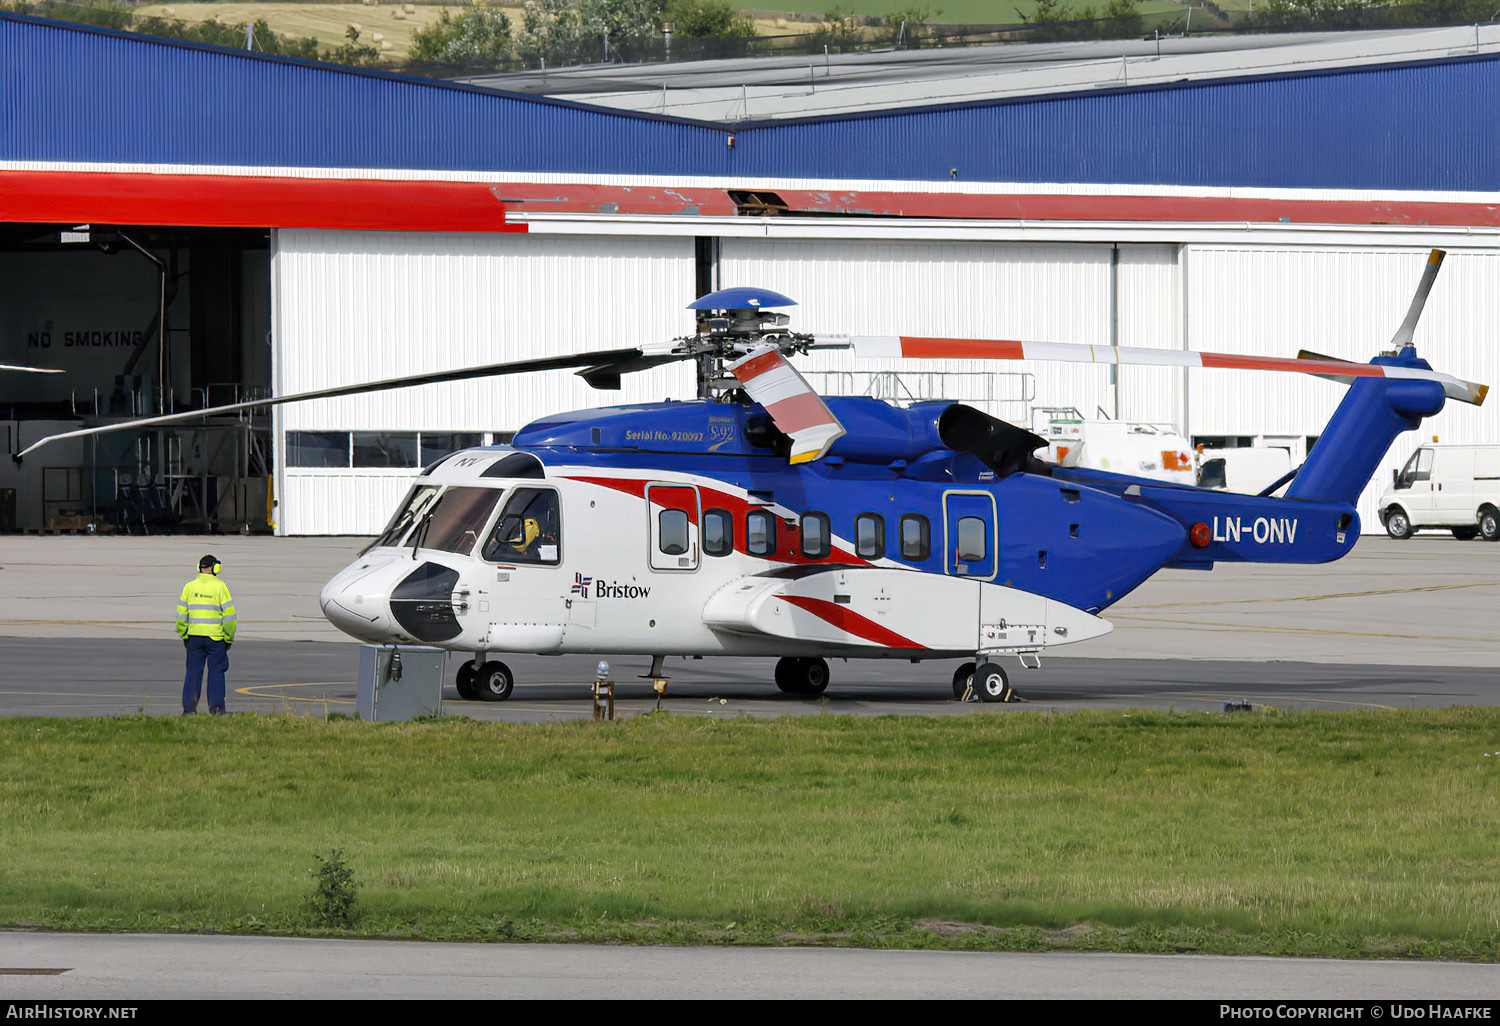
(233, 202)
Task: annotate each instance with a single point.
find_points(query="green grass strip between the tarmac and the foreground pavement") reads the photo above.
(1340, 835)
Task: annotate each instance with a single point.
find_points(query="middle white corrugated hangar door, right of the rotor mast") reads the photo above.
(1048, 293)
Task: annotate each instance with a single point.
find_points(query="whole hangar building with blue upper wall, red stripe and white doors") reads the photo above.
(190, 226)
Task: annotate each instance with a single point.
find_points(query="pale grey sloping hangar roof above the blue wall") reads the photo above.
(809, 86)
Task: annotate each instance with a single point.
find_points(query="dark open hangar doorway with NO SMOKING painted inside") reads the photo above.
(142, 320)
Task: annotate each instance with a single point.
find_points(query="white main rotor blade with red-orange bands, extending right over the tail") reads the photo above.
(934, 349)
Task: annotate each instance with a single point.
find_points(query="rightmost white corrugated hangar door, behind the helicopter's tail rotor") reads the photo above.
(1342, 302)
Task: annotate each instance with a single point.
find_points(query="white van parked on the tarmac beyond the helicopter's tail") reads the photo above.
(1445, 487)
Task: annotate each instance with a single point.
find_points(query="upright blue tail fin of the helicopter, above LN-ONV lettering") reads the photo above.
(1357, 439)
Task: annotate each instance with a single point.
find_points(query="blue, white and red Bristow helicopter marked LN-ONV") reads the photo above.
(764, 520)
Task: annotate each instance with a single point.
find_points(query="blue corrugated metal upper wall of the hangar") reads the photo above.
(73, 94)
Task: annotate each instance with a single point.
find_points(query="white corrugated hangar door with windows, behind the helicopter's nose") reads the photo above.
(365, 307)
